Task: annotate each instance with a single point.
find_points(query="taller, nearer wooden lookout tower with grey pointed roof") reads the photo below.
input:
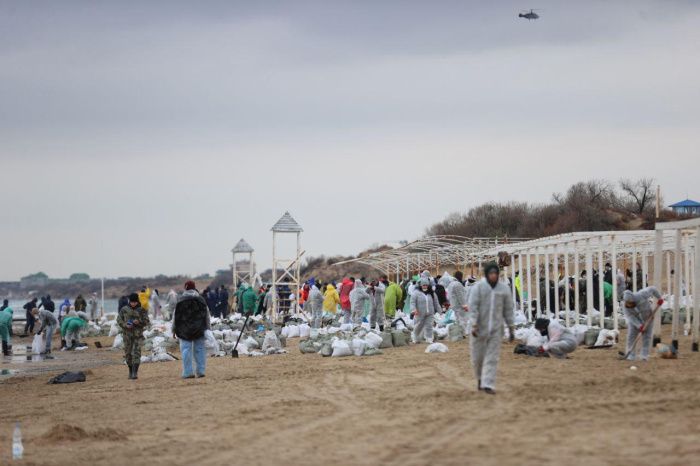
(286, 271)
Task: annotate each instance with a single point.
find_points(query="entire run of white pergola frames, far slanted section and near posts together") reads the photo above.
(673, 246)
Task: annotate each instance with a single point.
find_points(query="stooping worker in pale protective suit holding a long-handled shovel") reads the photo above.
(638, 310)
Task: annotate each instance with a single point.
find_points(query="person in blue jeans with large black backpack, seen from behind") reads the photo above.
(190, 322)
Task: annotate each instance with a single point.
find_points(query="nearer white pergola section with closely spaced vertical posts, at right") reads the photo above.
(546, 257)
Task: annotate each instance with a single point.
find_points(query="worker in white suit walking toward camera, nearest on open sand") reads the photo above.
(490, 307)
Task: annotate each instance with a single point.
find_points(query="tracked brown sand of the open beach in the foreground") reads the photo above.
(404, 408)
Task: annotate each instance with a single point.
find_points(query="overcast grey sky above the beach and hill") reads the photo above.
(139, 138)
